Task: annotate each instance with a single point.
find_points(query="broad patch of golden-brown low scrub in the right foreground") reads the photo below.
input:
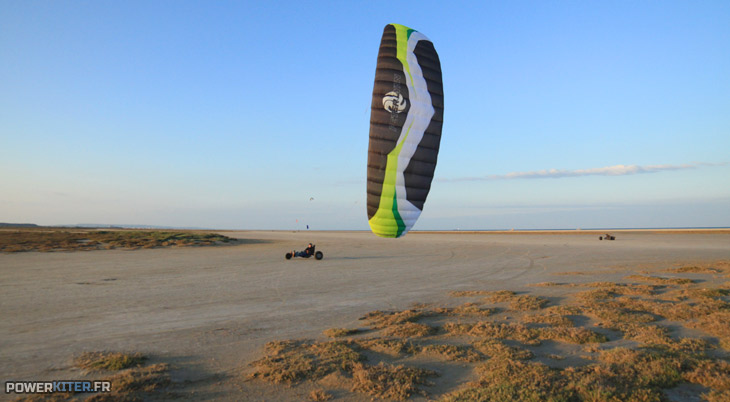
(604, 342)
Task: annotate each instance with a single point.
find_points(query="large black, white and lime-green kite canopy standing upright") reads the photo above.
(405, 130)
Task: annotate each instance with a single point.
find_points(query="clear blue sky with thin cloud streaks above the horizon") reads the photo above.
(234, 115)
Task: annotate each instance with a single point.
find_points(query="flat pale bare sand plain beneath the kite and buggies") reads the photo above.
(208, 311)
